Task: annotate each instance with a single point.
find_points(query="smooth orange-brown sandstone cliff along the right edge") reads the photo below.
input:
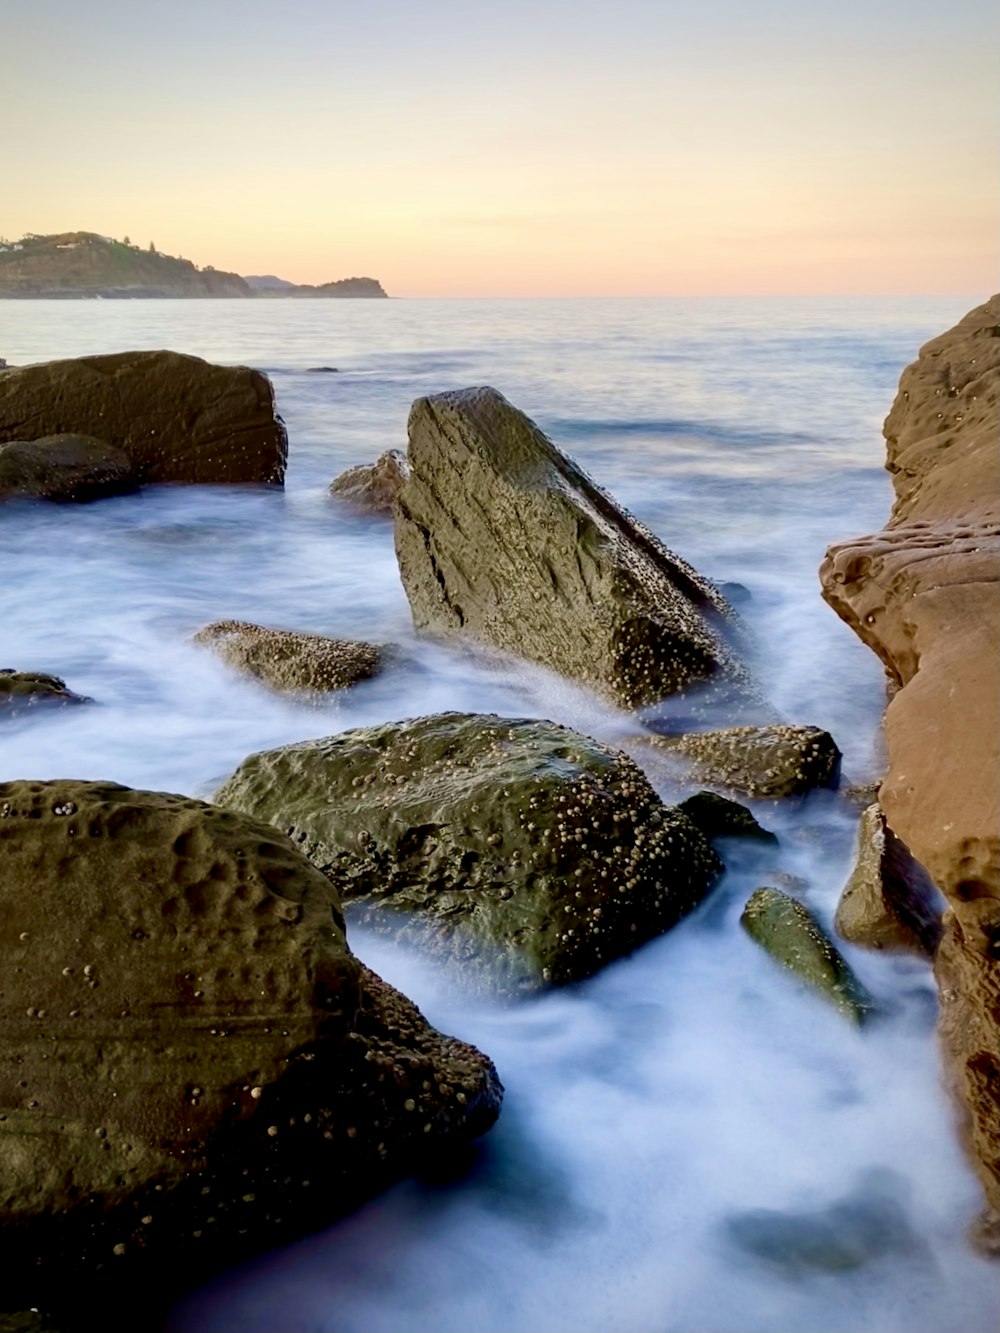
(925, 594)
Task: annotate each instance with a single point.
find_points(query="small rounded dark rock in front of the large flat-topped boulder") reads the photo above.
(66, 469)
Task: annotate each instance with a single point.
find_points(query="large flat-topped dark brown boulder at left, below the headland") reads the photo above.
(177, 418)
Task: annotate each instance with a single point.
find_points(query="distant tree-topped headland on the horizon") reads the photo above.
(85, 266)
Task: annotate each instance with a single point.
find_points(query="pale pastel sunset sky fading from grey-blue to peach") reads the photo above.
(546, 149)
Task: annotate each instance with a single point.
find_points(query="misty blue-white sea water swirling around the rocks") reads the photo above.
(690, 1142)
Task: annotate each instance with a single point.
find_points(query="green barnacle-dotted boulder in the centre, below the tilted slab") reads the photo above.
(529, 854)
